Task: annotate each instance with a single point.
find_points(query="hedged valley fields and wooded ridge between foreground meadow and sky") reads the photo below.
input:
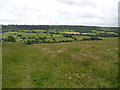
(54, 34)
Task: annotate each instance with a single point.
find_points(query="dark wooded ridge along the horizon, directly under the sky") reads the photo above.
(82, 29)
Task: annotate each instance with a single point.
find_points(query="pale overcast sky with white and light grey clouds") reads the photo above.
(59, 12)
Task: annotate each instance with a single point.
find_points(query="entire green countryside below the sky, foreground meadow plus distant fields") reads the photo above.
(88, 59)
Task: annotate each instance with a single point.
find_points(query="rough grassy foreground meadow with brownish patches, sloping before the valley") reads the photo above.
(85, 64)
